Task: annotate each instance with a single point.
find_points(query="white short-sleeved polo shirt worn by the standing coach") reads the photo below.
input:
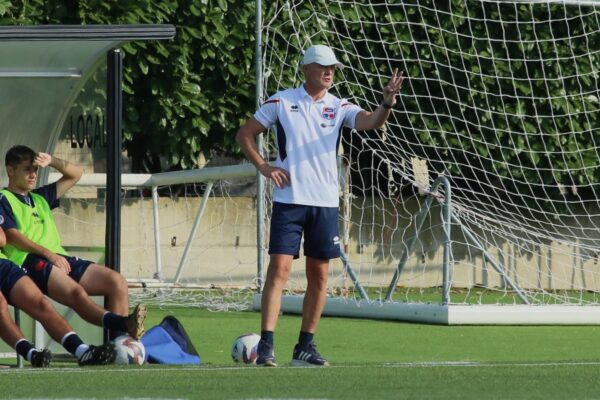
(307, 137)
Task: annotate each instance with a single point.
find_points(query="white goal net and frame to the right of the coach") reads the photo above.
(500, 104)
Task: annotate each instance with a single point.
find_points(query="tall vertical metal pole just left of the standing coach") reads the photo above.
(260, 181)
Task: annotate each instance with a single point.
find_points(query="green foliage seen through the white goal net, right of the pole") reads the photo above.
(501, 93)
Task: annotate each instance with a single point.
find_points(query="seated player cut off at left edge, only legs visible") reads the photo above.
(17, 289)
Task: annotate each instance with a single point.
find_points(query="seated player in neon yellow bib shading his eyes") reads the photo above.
(34, 243)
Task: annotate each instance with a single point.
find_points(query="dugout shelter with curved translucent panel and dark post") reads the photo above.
(44, 72)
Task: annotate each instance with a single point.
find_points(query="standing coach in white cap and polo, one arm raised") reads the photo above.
(308, 122)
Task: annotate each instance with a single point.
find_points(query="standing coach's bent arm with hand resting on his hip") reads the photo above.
(246, 138)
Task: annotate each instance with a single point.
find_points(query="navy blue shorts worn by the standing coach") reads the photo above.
(319, 225)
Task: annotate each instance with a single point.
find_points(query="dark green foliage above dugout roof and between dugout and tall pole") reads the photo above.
(180, 97)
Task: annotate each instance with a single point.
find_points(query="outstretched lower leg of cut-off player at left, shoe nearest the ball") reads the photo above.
(27, 296)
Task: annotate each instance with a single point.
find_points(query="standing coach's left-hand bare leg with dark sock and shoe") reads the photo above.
(278, 273)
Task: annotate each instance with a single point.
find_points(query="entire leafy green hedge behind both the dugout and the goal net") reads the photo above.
(192, 94)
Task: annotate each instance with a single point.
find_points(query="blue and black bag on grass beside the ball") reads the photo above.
(168, 343)
